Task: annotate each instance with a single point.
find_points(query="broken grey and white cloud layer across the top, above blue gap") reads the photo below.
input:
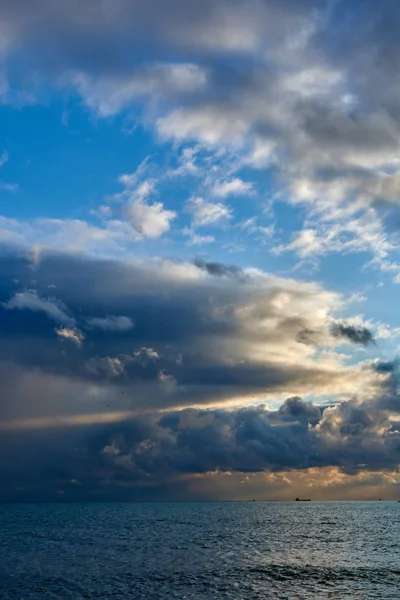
(300, 111)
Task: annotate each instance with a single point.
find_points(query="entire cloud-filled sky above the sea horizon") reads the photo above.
(199, 250)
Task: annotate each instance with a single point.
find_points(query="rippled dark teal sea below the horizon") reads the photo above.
(254, 550)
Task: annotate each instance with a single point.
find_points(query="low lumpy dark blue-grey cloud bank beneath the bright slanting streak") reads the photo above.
(146, 454)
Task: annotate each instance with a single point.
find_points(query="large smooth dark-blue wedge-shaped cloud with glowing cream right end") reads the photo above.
(153, 322)
